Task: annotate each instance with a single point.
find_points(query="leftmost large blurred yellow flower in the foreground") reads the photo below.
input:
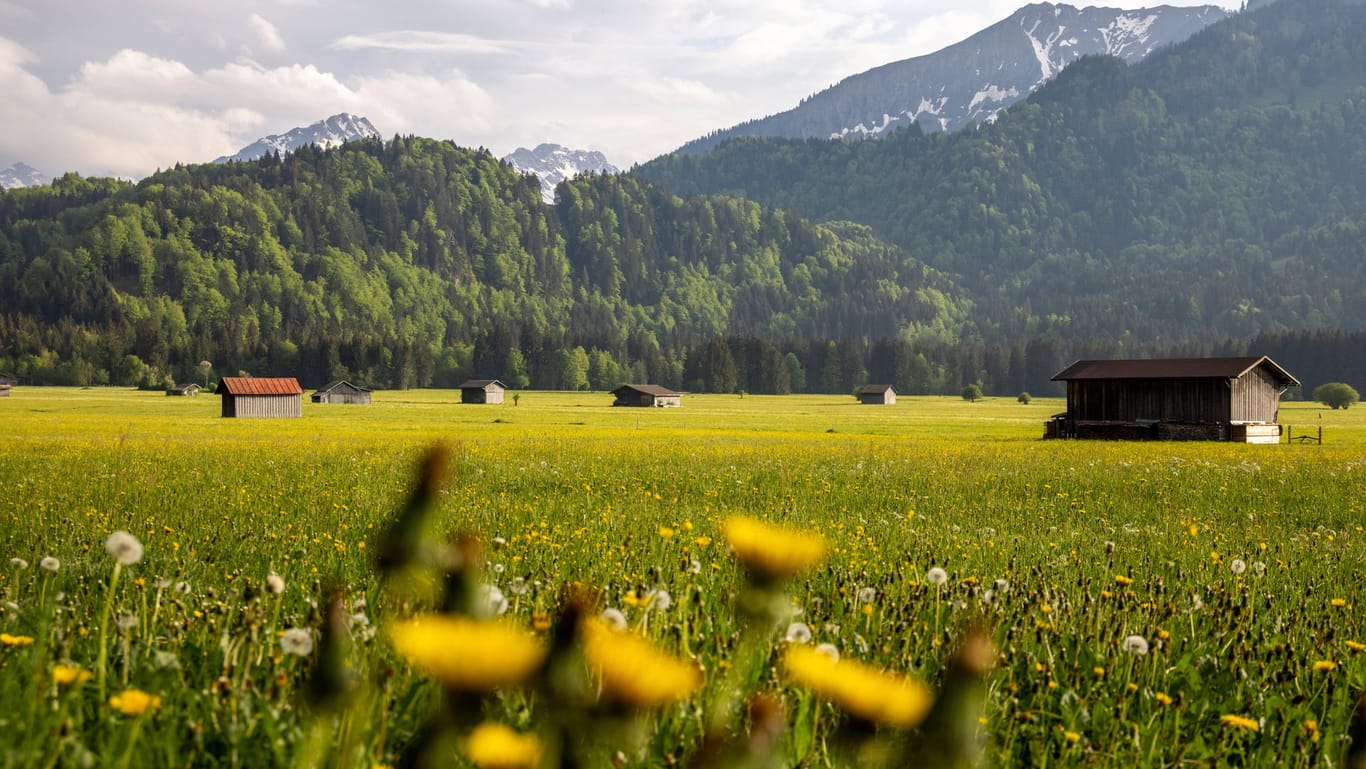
(468, 655)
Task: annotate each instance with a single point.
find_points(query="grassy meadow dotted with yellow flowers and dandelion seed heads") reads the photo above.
(1236, 566)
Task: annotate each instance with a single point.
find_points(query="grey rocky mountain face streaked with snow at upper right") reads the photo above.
(972, 81)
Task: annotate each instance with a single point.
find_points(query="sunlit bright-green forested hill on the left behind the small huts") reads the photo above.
(415, 263)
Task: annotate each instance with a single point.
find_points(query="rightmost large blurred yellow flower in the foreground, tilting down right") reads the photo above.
(869, 695)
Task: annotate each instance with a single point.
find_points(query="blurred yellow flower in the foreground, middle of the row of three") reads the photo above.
(633, 671)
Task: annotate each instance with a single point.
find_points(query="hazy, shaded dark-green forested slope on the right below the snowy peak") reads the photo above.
(1215, 191)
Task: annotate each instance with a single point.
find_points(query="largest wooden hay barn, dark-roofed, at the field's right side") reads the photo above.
(1215, 400)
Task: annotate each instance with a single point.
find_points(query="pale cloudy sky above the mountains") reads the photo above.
(128, 87)
